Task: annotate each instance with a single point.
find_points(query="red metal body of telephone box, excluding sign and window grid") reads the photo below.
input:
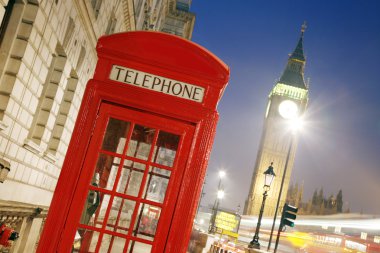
(162, 55)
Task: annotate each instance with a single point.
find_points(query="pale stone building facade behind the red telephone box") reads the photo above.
(47, 55)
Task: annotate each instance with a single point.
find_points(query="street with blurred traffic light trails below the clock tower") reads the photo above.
(333, 234)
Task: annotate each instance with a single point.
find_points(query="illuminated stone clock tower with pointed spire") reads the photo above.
(287, 102)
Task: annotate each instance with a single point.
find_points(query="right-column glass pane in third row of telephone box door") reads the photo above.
(146, 225)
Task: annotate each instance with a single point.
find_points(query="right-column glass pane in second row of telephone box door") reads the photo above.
(157, 183)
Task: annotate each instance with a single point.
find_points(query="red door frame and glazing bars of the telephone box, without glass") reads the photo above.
(107, 111)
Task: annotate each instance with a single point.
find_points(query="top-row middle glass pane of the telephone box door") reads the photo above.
(141, 142)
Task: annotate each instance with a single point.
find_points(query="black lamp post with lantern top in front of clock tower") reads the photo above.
(269, 176)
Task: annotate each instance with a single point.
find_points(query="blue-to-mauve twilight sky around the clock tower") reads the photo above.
(339, 146)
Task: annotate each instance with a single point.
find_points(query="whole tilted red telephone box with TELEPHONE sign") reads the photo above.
(136, 162)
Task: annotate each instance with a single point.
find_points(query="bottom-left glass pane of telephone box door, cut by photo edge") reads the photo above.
(85, 241)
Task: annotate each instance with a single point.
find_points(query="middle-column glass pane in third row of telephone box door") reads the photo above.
(120, 215)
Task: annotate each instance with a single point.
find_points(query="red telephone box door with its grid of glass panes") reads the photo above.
(133, 165)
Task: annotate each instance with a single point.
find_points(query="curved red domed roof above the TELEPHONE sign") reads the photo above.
(166, 50)
